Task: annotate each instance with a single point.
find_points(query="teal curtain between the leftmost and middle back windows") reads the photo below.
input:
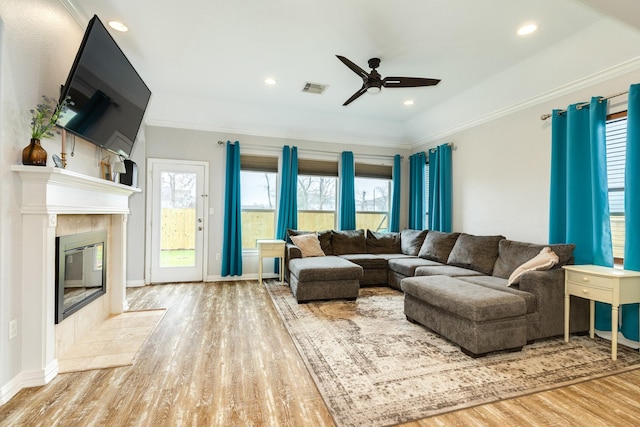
(288, 203)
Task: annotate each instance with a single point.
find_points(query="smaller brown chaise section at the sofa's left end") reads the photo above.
(324, 278)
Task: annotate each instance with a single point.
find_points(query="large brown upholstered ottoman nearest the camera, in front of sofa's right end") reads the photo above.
(478, 319)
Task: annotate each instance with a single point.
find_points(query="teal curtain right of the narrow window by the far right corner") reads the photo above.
(440, 188)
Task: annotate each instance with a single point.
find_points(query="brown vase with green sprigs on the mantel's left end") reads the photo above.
(43, 119)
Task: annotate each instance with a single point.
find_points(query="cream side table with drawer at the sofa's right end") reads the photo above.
(605, 284)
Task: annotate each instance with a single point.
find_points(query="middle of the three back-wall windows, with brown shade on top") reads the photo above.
(317, 190)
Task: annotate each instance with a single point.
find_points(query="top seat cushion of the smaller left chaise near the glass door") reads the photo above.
(327, 268)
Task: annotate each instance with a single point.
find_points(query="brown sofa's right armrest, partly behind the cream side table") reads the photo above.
(548, 288)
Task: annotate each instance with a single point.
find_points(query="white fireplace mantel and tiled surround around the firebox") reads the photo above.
(55, 202)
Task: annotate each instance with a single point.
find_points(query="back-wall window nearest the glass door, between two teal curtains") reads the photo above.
(258, 180)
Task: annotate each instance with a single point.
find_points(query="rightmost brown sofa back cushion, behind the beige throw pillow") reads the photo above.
(512, 254)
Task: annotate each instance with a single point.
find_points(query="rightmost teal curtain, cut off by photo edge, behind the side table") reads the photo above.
(630, 312)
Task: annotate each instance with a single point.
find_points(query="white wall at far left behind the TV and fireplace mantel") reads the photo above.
(38, 42)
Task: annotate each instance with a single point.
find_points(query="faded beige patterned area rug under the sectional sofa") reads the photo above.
(373, 367)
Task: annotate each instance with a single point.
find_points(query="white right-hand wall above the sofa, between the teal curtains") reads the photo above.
(501, 169)
